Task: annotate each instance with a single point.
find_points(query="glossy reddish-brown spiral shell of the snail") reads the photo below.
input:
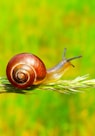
(25, 70)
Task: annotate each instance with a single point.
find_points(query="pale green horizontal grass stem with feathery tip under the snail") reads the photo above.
(78, 84)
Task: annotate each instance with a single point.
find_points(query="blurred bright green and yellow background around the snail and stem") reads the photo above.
(44, 28)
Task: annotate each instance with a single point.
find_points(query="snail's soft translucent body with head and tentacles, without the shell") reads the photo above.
(57, 71)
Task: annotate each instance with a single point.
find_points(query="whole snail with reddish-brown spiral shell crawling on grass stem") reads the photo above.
(25, 70)
